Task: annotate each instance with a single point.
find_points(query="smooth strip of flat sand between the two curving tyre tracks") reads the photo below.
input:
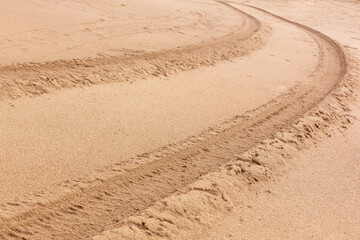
(112, 123)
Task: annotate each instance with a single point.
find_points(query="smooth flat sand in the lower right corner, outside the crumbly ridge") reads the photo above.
(317, 199)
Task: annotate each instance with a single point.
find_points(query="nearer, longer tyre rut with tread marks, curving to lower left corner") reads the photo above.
(91, 210)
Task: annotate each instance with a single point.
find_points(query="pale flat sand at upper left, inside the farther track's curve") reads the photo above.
(48, 30)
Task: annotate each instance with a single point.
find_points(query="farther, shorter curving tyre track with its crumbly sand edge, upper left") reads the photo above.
(31, 79)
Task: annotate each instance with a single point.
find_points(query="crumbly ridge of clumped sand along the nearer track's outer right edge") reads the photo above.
(190, 214)
